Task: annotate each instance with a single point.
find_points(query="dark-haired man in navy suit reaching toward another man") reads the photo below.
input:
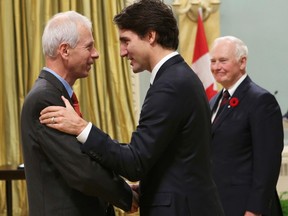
(169, 152)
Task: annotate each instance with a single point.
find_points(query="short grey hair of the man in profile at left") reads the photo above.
(63, 28)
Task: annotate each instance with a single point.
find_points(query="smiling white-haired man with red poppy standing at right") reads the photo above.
(247, 135)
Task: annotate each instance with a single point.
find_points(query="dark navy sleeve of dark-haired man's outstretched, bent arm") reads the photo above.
(159, 121)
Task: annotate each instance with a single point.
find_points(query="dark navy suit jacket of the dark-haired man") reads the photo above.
(170, 150)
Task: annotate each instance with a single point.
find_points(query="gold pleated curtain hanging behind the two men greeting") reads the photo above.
(106, 96)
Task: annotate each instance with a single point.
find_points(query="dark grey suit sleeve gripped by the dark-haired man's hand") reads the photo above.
(80, 171)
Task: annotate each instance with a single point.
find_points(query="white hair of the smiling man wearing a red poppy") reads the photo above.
(240, 47)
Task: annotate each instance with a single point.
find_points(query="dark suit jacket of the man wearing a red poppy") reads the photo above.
(247, 141)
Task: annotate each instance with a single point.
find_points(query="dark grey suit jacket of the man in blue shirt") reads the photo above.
(61, 180)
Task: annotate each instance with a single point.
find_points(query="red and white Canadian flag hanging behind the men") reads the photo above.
(201, 60)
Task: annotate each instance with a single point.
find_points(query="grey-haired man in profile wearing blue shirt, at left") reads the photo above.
(61, 180)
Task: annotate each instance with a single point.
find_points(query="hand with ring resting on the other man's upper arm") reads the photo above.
(64, 119)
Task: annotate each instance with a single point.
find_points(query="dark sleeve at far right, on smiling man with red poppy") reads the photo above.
(267, 140)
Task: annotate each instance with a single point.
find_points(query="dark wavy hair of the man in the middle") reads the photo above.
(146, 15)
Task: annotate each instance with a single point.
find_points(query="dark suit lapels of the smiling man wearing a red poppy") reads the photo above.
(239, 94)
